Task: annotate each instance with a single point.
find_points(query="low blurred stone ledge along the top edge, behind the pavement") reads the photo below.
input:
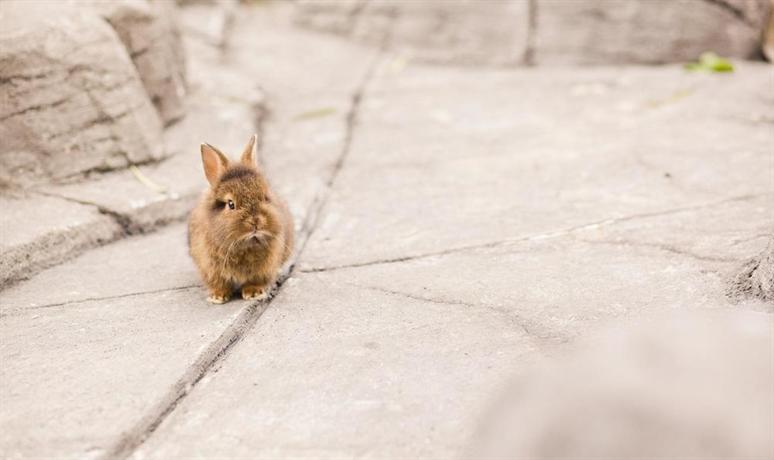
(522, 32)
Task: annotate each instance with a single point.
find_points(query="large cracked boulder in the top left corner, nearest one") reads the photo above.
(65, 117)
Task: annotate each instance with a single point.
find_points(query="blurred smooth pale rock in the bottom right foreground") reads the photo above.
(693, 387)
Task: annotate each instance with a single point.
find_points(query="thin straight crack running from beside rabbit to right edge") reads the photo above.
(539, 236)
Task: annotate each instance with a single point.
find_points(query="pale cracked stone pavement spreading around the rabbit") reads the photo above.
(456, 226)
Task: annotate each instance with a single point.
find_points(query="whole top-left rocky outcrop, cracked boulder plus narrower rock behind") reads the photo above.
(86, 86)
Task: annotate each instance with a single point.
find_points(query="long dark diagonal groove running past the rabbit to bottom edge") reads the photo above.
(129, 442)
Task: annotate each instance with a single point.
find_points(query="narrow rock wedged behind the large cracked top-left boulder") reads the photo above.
(150, 34)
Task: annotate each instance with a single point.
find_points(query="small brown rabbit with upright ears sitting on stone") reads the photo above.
(241, 232)
